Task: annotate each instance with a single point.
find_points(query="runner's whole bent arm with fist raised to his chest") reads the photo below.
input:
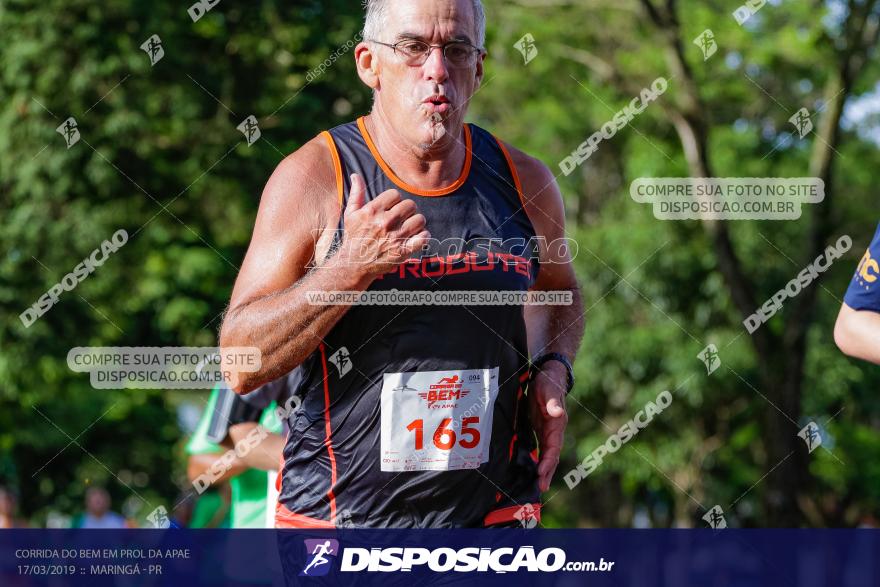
(270, 308)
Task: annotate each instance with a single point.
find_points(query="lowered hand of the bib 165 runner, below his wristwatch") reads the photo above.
(549, 418)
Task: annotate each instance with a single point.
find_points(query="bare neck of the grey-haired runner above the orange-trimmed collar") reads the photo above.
(429, 168)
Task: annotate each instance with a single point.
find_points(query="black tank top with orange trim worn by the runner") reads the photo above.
(416, 416)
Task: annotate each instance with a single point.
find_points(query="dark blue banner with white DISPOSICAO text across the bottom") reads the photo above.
(643, 558)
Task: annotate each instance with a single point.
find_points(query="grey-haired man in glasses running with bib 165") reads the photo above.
(413, 416)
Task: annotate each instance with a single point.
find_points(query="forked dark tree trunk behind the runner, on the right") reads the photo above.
(780, 360)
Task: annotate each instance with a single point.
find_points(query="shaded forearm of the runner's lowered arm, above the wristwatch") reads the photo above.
(556, 328)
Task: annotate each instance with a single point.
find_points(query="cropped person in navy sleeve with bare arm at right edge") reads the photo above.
(857, 331)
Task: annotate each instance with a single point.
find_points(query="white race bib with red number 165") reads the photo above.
(437, 420)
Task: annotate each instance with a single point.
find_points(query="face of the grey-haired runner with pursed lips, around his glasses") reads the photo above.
(425, 102)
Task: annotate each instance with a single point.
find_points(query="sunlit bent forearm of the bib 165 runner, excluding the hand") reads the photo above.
(285, 327)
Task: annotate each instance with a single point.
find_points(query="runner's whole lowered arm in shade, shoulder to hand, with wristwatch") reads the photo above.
(551, 328)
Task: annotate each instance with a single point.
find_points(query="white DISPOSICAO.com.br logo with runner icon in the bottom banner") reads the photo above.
(441, 560)
